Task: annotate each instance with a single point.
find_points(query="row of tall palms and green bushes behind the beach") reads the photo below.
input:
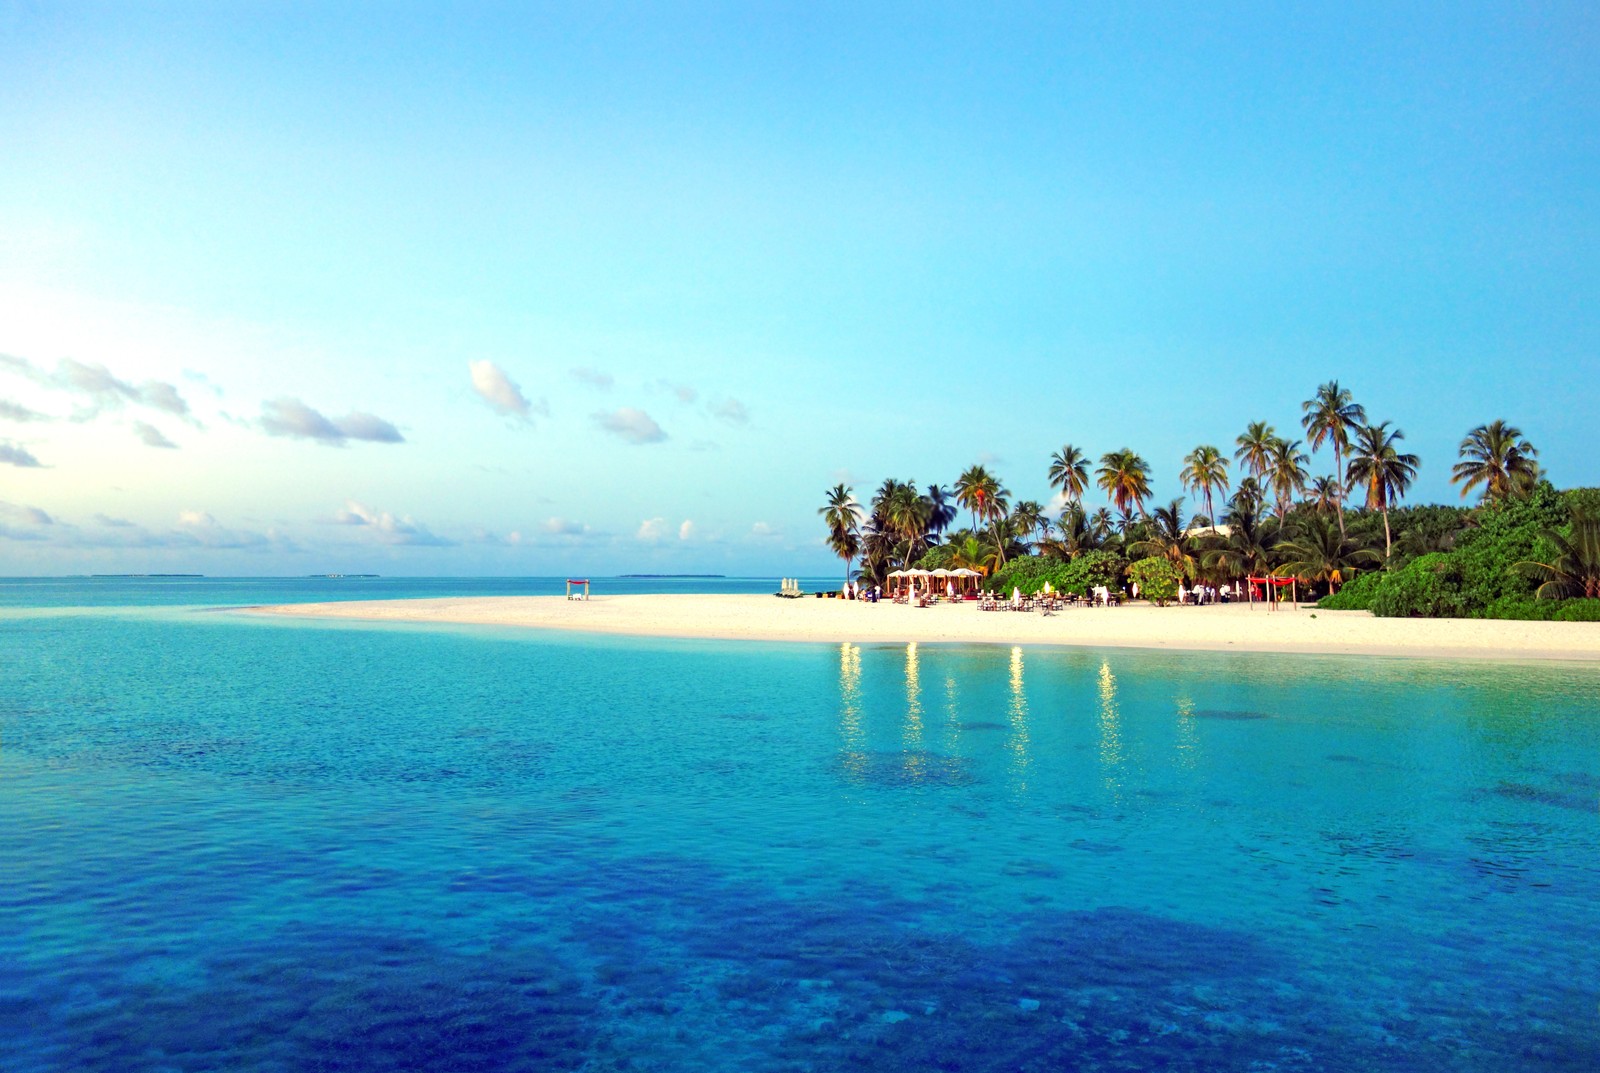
(1278, 517)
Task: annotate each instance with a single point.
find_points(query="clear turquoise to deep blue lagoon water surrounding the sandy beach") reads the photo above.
(262, 845)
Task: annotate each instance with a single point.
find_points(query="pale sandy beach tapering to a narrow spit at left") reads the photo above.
(764, 618)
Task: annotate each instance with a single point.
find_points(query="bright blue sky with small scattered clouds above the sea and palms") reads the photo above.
(617, 289)
